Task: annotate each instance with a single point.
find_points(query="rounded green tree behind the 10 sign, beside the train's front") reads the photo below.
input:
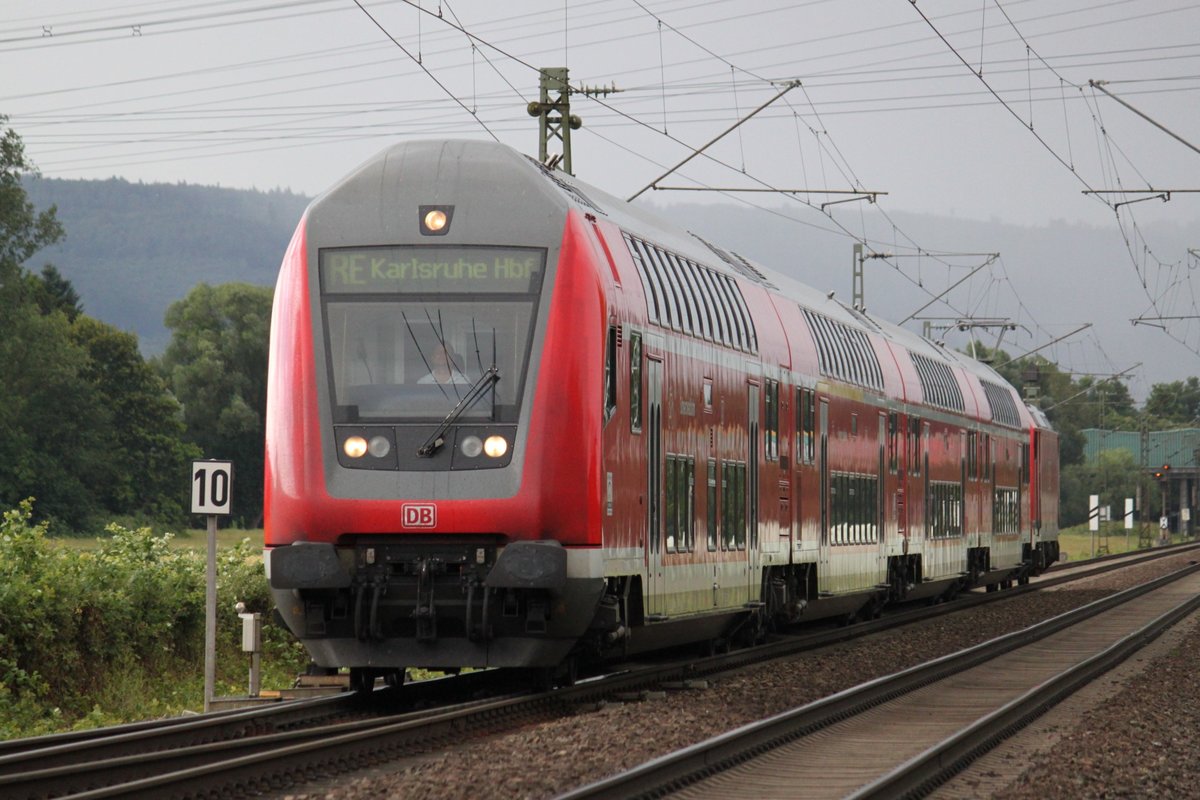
(217, 366)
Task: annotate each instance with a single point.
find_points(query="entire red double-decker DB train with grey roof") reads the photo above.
(517, 423)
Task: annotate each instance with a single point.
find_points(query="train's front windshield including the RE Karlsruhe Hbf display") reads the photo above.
(410, 330)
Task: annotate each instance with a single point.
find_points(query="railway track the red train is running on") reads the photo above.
(251, 751)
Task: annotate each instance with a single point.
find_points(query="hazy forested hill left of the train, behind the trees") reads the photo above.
(131, 250)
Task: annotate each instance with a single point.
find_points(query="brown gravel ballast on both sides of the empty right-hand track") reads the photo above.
(1142, 745)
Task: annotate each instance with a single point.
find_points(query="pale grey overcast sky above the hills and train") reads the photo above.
(974, 110)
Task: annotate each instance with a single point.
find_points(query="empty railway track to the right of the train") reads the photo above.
(904, 735)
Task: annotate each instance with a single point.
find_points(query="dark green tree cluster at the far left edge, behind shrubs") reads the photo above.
(87, 428)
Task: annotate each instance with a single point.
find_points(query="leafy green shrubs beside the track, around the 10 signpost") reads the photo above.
(118, 634)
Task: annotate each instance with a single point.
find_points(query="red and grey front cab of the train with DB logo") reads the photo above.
(397, 536)
